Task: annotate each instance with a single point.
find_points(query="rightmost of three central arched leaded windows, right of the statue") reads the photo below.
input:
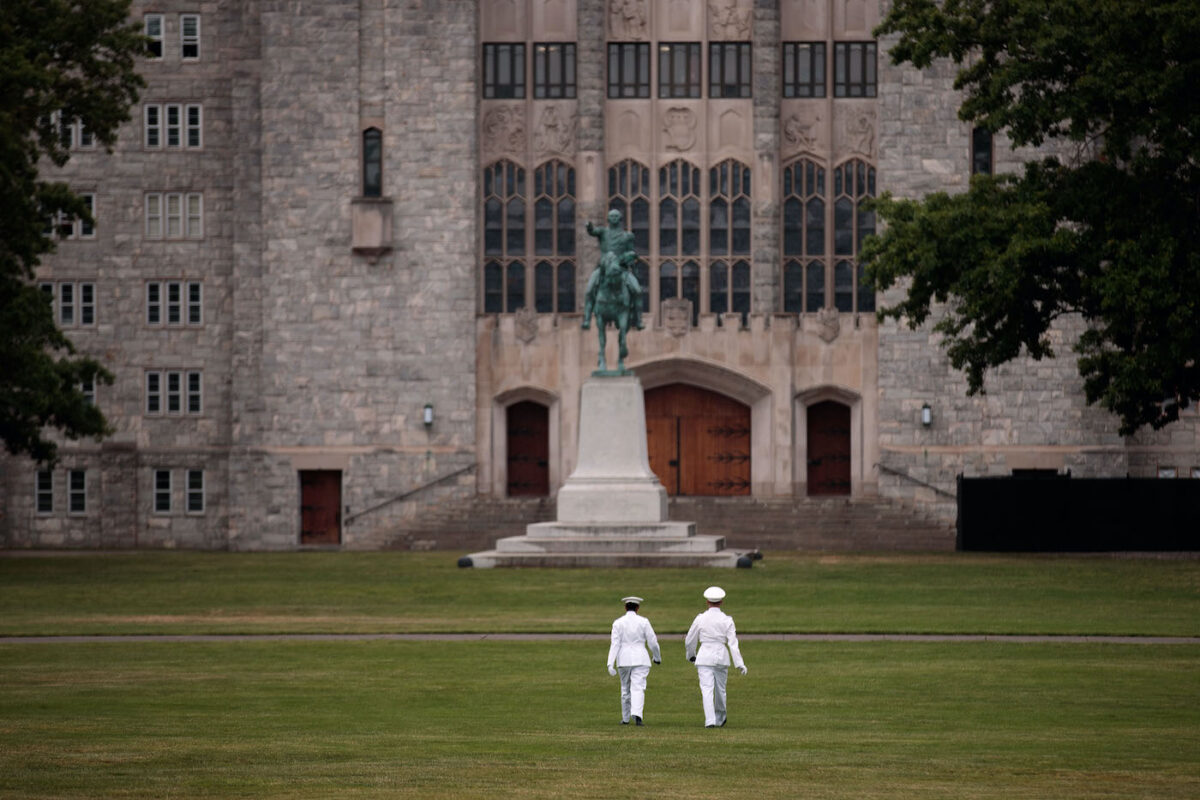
(729, 238)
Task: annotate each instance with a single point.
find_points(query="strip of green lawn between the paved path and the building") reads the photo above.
(374, 593)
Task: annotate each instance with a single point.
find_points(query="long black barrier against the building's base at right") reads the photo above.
(1071, 515)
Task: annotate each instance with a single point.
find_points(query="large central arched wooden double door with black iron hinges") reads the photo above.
(699, 442)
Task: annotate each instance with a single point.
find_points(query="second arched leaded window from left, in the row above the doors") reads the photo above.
(554, 213)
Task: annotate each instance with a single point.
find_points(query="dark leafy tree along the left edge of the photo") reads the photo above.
(59, 62)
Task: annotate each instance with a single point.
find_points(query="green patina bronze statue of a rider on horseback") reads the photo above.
(614, 296)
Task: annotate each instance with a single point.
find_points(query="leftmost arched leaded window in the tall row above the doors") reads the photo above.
(505, 232)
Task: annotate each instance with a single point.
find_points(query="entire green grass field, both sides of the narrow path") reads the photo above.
(494, 719)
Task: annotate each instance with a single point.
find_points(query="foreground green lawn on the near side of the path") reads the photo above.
(539, 720)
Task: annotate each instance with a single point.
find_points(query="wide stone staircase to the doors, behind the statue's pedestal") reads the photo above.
(836, 525)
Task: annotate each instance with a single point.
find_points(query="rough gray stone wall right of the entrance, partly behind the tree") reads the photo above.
(1034, 414)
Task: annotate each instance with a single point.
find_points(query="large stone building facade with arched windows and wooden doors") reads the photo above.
(340, 262)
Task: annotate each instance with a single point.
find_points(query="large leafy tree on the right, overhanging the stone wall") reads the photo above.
(1109, 232)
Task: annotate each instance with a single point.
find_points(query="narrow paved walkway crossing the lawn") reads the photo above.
(602, 637)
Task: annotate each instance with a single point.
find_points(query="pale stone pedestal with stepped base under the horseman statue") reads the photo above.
(613, 512)
